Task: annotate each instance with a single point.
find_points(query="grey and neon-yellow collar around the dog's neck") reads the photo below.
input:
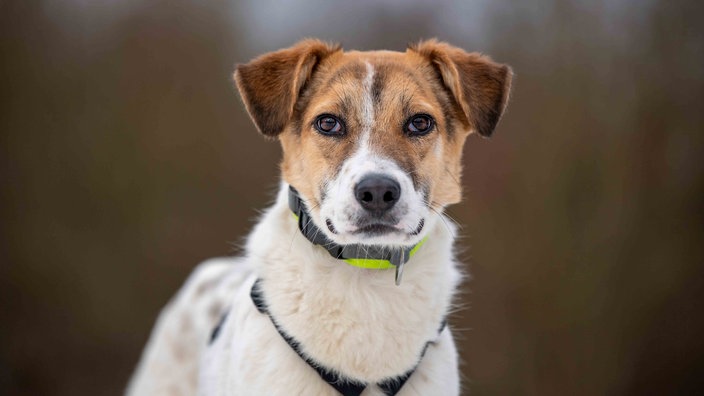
(362, 256)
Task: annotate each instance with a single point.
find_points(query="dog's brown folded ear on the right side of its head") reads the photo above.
(479, 86)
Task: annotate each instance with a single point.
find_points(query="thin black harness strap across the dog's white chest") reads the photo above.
(345, 386)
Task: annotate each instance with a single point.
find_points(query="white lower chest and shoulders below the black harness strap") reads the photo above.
(251, 358)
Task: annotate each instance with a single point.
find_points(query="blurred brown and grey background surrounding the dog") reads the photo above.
(126, 158)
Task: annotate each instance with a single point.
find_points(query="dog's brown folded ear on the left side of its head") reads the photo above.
(271, 84)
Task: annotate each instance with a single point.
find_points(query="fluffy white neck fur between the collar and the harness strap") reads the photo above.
(353, 320)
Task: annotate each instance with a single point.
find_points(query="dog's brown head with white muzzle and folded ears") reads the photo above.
(373, 140)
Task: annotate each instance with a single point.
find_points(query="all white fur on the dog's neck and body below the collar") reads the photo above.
(349, 319)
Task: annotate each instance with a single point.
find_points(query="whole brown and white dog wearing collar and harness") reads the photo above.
(347, 280)
